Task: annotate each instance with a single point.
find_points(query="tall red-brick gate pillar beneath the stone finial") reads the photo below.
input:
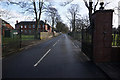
(102, 41)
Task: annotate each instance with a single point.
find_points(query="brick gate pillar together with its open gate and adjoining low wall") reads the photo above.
(97, 39)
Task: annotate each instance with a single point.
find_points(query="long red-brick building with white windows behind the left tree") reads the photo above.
(28, 27)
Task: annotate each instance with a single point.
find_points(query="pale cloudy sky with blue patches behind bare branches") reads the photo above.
(13, 10)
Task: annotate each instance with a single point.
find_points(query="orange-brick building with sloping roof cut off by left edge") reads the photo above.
(6, 28)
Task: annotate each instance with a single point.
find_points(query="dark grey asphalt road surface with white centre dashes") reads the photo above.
(59, 57)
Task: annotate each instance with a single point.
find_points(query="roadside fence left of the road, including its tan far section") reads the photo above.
(16, 40)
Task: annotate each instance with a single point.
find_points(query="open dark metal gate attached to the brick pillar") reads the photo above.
(87, 41)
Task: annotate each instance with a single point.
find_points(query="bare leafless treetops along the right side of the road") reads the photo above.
(75, 19)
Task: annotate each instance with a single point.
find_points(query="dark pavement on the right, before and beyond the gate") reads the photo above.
(111, 69)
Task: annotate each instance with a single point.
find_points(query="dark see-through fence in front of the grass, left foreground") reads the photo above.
(14, 41)
